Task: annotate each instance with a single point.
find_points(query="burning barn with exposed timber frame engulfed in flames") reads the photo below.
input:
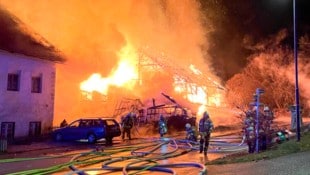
(194, 90)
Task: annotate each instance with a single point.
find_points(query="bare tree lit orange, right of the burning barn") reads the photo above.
(267, 70)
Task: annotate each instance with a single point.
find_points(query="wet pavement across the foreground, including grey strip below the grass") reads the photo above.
(187, 163)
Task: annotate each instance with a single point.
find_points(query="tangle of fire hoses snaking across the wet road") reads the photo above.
(145, 153)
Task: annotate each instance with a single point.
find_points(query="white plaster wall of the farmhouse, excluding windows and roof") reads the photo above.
(23, 106)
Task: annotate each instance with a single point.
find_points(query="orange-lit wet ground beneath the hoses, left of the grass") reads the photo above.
(170, 152)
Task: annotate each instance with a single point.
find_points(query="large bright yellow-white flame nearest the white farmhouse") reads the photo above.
(123, 76)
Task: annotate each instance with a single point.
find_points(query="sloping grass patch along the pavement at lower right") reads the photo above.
(289, 147)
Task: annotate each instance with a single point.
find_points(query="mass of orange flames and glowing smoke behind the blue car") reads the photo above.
(132, 49)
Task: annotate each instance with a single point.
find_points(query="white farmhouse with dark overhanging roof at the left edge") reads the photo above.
(27, 80)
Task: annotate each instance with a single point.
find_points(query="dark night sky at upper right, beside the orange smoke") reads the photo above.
(237, 20)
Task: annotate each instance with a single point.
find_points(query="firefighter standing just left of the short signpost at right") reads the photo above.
(249, 131)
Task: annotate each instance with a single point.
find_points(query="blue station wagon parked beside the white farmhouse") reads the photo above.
(91, 129)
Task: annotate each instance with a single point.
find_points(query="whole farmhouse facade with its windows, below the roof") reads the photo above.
(27, 90)
